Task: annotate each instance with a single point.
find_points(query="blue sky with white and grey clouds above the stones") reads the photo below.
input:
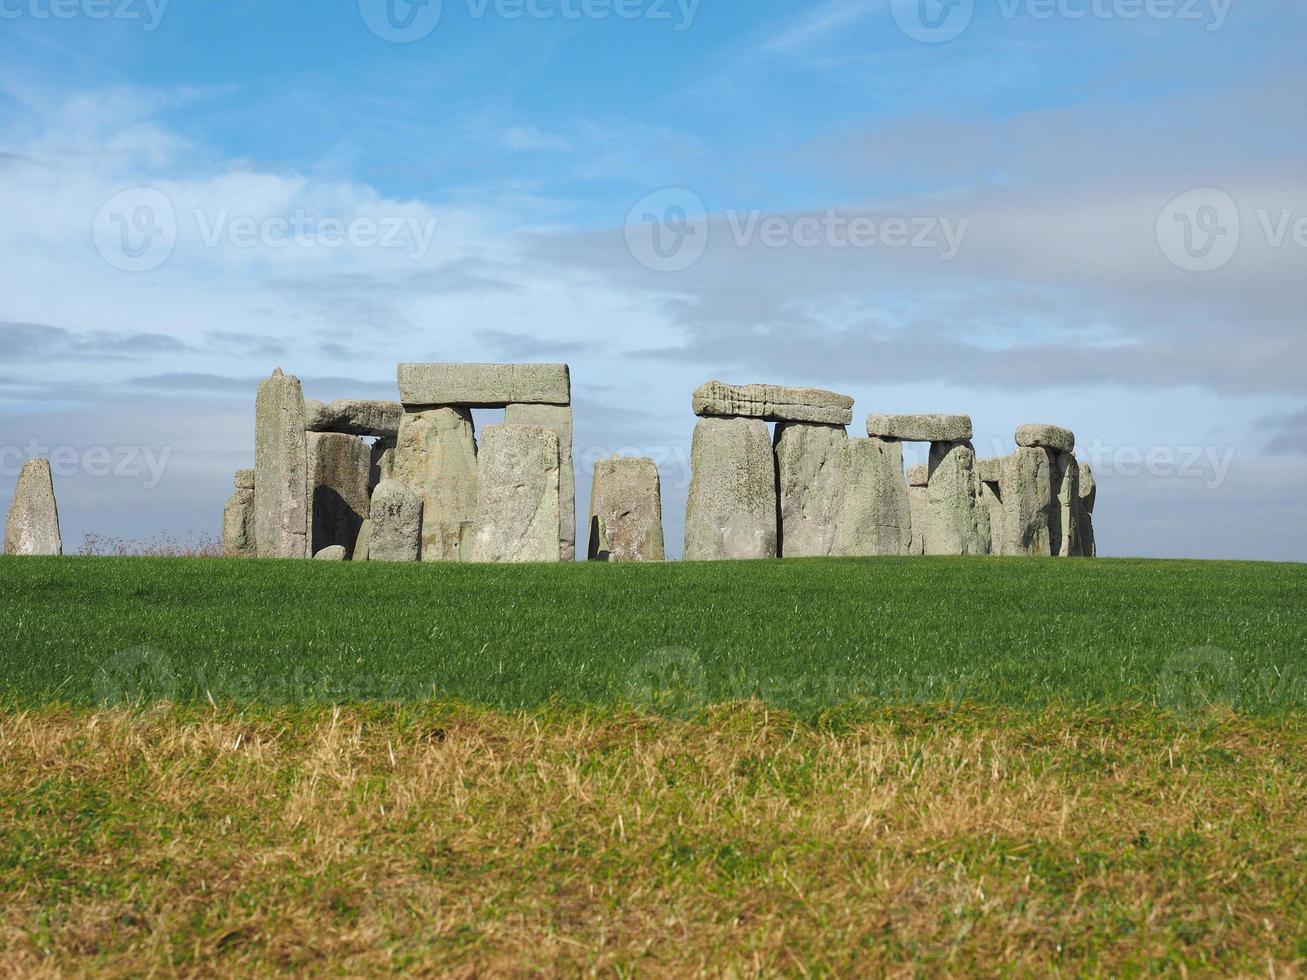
(1085, 212)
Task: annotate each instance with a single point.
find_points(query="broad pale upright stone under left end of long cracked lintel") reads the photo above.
(731, 513)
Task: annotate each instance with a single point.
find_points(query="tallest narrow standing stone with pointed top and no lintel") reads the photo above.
(282, 470)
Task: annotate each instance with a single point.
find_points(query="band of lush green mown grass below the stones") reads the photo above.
(810, 637)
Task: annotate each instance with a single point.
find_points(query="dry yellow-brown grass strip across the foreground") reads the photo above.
(458, 842)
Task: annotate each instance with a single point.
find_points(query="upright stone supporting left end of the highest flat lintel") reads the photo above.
(437, 455)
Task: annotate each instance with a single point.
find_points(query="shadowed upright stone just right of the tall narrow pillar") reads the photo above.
(339, 501)
